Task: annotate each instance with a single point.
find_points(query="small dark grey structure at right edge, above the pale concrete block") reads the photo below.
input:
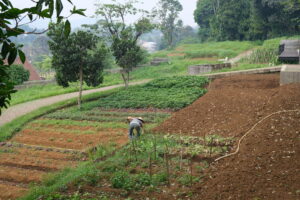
(289, 50)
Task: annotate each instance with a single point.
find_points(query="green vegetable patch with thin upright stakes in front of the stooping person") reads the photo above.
(156, 166)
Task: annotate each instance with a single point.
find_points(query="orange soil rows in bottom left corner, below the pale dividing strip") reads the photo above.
(22, 166)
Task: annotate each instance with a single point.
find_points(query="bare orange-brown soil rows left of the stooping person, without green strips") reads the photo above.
(39, 149)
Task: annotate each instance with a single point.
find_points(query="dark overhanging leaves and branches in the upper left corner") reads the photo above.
(11, 25)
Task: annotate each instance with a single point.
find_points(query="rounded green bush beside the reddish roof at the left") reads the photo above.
(18, 74)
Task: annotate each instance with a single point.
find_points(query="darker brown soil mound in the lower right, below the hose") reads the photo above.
(266, 167)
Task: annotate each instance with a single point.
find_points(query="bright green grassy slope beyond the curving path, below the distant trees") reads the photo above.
(181, 58)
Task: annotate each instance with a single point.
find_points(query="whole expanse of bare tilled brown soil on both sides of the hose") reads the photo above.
(268, 163)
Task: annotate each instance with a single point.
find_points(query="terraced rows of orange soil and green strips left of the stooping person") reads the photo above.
(62, 140)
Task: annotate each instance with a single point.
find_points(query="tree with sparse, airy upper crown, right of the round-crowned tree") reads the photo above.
(123, 37)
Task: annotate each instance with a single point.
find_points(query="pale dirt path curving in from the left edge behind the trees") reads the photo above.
(21, 109)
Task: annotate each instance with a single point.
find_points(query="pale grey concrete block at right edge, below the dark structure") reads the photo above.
(290, 74)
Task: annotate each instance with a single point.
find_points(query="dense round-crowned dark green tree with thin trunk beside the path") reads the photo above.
(80, 57)
